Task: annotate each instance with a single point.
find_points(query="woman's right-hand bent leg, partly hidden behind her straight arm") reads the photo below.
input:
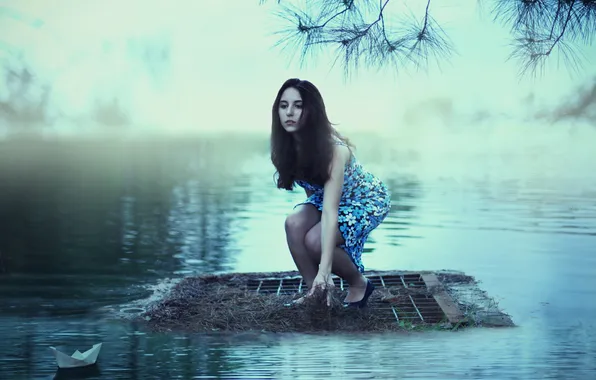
(342, 264)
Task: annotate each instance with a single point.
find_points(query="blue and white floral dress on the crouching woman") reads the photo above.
(364, 204)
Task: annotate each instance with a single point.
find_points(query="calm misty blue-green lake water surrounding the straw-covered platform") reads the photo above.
(88, 227)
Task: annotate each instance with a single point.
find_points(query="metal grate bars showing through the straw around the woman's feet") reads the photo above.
(406, 306)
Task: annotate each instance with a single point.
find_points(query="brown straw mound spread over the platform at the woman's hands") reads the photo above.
(216, 303)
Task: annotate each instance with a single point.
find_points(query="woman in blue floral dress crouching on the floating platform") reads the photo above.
(326, 233)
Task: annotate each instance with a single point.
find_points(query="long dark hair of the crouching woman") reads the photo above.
(316, 133)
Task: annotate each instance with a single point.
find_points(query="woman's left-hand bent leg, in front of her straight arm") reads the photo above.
(297, 225)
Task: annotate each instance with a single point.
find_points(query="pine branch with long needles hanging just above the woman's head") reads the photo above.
(341, 26)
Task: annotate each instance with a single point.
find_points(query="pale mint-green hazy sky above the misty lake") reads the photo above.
(222, 72)
